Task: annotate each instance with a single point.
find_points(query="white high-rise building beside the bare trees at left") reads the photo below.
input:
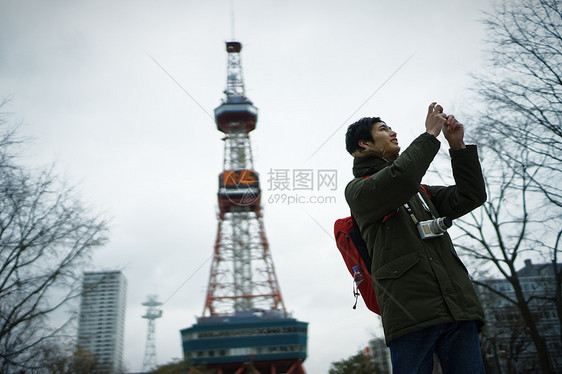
(101, 326)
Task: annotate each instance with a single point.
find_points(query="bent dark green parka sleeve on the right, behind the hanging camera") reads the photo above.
(469, 191)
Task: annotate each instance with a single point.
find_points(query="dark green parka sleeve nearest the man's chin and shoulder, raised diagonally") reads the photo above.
(374, 197)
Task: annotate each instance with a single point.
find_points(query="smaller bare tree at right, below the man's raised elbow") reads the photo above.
(509, 227)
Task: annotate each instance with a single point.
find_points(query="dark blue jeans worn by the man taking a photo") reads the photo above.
(455, 344)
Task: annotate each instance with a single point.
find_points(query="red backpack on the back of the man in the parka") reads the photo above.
(356, 256)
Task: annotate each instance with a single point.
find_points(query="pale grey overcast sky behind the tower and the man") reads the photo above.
(146, 152)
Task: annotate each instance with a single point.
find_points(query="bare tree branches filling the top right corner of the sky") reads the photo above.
(522, 90)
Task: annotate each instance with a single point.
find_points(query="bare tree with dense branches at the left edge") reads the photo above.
(46, 235)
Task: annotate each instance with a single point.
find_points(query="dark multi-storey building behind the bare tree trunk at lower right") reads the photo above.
(507, 345)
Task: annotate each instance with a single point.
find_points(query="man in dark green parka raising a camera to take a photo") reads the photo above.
(427, 301)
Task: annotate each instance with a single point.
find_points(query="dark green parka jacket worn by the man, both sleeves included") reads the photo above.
(418, 282)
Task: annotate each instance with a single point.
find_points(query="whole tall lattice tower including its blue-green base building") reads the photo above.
(244, 323)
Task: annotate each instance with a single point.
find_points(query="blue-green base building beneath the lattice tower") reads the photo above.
(265, 342)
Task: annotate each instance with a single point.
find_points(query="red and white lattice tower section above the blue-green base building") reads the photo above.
(242, 276)
